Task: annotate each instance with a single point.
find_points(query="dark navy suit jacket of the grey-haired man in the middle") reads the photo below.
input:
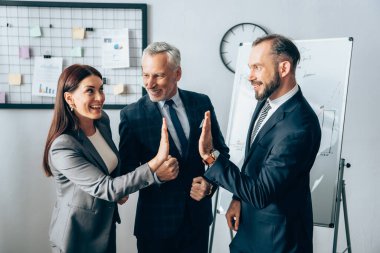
(161, 208)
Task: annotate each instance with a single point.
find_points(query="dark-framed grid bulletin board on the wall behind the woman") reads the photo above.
(57, 21)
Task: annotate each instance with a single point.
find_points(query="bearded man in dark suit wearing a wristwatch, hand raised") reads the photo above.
(271, 208)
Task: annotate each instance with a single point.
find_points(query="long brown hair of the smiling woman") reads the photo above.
(64, 119)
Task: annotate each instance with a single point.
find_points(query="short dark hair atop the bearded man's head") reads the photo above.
(282, 47)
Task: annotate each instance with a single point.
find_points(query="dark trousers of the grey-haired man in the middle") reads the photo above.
(188, 239)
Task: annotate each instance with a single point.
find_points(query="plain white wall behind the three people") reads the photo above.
(196, 27)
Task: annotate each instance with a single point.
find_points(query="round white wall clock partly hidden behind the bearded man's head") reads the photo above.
(244, 32)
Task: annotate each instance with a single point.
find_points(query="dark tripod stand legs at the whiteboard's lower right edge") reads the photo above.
(341, 197)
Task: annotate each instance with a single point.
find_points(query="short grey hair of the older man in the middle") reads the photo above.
(174, 56)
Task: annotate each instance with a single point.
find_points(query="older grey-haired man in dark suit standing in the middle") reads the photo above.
(167, 218)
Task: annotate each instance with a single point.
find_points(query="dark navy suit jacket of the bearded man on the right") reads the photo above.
(273, 186)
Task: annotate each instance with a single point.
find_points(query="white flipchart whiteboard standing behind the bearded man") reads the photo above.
(322, 74)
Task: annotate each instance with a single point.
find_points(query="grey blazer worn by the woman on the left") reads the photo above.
(85, 209)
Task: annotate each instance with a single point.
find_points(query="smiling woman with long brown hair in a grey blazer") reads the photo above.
(83, 160)
